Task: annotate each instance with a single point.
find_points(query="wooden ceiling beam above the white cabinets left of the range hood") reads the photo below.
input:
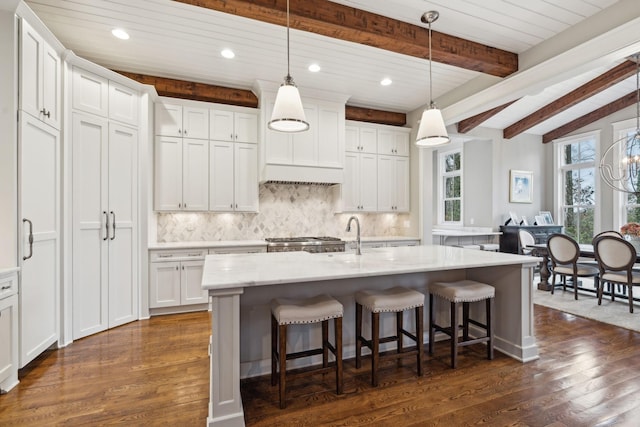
(196, 91)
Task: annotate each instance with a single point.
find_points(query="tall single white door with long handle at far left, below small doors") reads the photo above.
(39, 184)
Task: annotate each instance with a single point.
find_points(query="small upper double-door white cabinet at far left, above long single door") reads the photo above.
(40, 76)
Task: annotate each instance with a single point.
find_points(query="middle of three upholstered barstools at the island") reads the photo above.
(394, 300)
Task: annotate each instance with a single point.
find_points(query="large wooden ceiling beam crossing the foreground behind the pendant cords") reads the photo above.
(354, 25)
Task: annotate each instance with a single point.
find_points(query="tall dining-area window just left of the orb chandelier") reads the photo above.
(577, 184)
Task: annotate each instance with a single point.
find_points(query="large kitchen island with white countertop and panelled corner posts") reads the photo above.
(241, 286)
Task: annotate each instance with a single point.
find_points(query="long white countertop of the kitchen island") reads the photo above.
(247, 270)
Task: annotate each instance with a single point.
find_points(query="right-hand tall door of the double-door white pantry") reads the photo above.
(123, 216)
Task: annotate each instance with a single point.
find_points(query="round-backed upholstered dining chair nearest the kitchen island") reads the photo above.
(564, 253)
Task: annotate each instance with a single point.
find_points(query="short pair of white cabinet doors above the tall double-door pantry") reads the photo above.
(98, 95)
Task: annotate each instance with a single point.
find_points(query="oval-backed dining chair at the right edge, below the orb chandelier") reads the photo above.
(616, 258)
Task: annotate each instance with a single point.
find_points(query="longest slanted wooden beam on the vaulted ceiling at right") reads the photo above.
(587, 90)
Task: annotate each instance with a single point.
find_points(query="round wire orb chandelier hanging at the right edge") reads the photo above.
(620, 164)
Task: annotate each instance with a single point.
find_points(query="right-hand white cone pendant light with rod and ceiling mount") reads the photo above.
(431, 131)
